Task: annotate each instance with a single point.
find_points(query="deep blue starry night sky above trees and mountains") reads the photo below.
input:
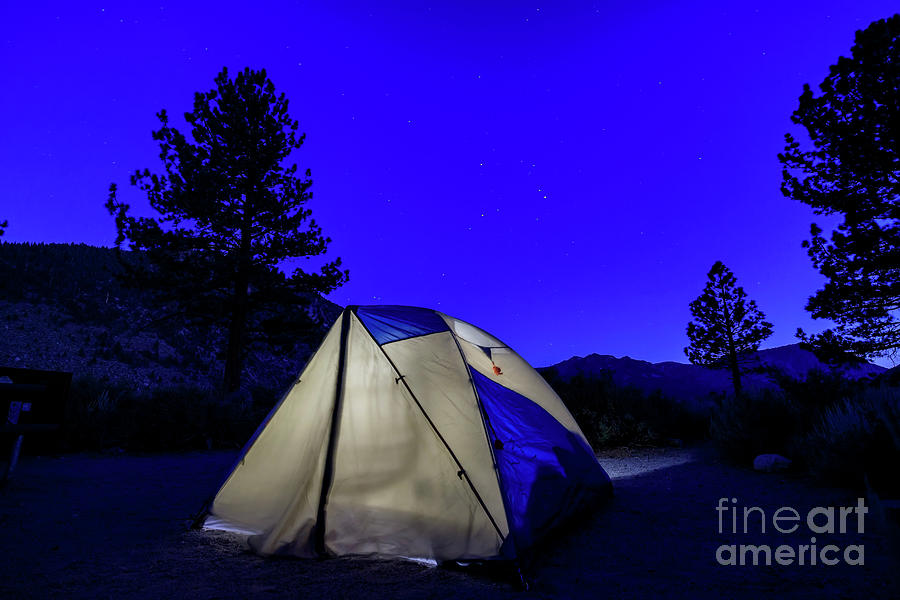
(562, 175)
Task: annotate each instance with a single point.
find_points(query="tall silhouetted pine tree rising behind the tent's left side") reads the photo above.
(229, 214)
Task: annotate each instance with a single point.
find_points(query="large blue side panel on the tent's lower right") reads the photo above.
(547, 473)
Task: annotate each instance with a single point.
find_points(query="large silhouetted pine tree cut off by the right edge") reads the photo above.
(853, 170)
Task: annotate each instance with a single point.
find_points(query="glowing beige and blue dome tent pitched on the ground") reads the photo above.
(410, 433)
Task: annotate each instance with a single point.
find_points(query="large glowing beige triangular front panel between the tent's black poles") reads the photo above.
(395, 489)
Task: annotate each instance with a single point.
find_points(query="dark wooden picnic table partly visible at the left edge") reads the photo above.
(31, 401)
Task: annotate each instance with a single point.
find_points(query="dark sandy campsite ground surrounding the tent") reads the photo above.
(89, 526)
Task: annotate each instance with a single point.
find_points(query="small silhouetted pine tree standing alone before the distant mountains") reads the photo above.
(725, 326)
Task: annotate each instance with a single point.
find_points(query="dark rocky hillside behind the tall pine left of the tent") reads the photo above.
(62, 308)
